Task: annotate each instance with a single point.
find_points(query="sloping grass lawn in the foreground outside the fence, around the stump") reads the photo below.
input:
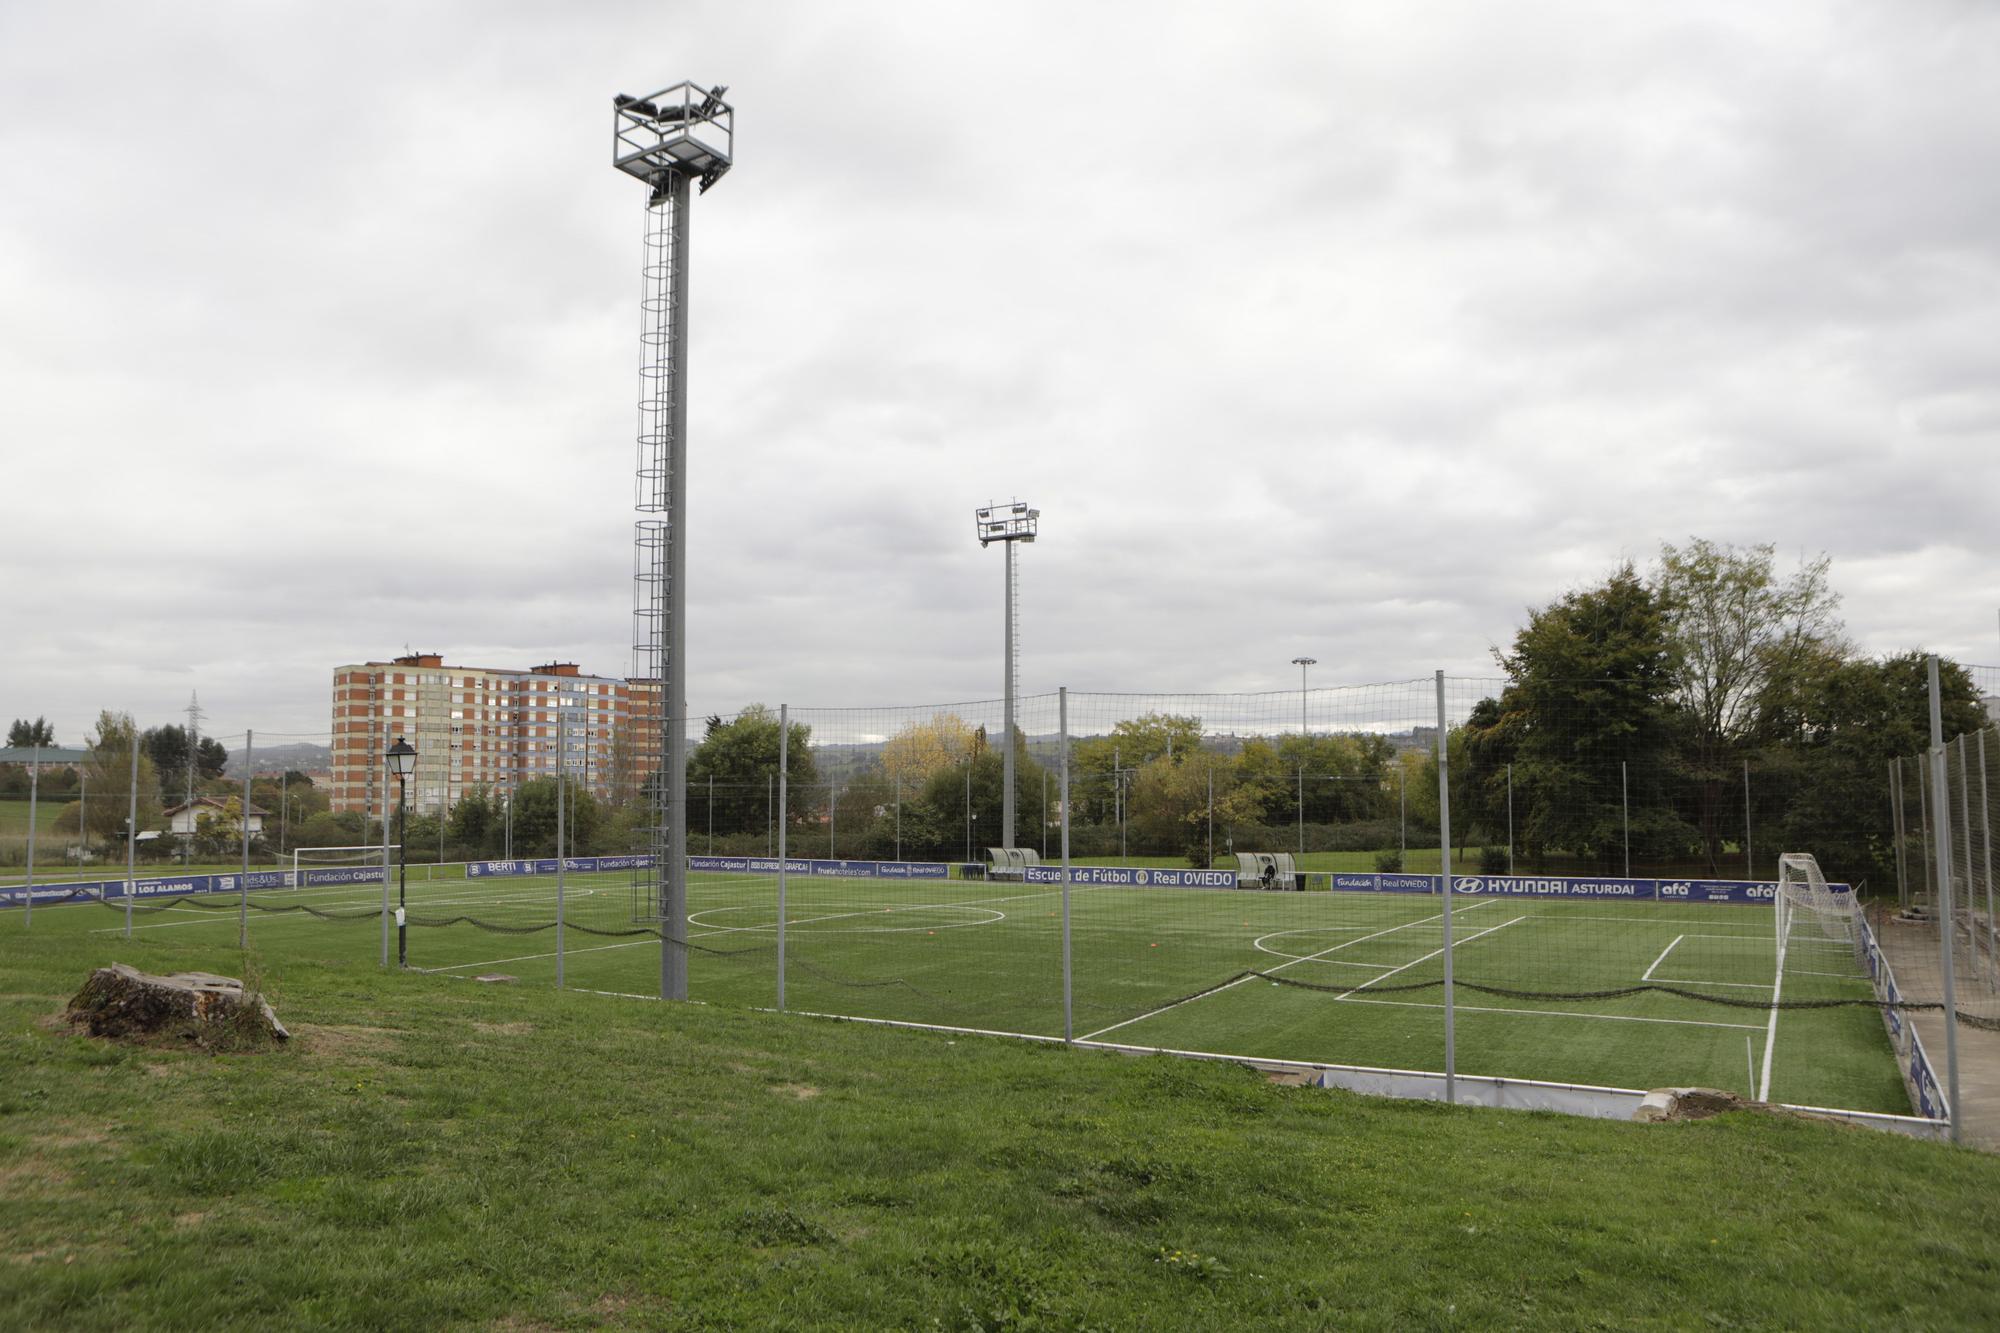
(433, 1154)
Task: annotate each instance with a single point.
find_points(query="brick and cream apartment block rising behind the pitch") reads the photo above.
(485, 728)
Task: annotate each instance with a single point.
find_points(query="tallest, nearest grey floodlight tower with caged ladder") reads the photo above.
(667, 141)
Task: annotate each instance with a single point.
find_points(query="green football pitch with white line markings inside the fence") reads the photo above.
(1339, 978)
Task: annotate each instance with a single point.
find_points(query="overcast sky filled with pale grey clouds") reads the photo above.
(1331, 329)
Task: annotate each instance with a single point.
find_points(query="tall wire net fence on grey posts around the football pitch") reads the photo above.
(1249, 876)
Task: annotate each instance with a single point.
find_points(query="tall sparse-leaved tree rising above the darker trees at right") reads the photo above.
(1739, 633)
